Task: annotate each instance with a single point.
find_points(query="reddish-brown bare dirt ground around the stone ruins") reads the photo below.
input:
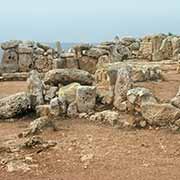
(114, 153)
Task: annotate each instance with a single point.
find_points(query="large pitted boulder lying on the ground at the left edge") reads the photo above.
(14, 105)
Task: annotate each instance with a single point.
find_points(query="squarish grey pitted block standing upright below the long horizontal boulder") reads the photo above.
(86, 98)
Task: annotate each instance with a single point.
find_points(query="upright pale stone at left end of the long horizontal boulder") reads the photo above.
(35, 88)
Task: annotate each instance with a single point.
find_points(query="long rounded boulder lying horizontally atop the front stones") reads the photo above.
(66, 76)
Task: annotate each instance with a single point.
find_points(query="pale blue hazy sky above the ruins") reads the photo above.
(86, 21)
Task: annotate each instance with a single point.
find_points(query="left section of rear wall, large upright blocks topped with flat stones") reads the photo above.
(22, 56)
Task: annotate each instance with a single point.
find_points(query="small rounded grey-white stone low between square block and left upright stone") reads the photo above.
(58, 106)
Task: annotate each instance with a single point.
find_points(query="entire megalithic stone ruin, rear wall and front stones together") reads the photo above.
(87, 79)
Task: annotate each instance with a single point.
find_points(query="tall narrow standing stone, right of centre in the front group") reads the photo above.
(123, 84)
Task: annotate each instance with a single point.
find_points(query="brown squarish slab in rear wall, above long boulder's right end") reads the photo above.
(88, 64)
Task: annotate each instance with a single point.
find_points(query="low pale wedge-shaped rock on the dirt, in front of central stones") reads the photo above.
(108, 116)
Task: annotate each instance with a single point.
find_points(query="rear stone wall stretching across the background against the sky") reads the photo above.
(24, 56)
